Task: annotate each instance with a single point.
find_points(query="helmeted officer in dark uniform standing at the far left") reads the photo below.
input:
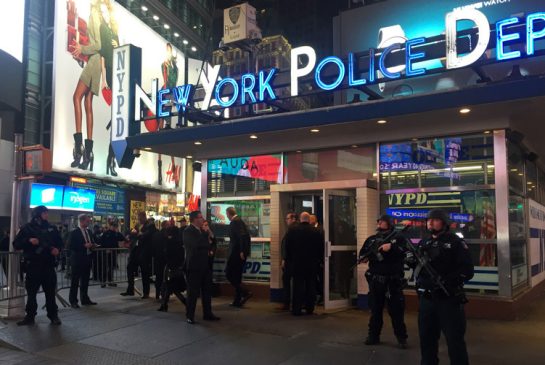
(41, 244)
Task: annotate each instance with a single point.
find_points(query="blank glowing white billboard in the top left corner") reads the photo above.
(12, 21)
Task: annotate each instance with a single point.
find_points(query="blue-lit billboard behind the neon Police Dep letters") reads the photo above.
(383, 24)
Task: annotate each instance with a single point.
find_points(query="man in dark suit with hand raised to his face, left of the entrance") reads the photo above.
(199, 275)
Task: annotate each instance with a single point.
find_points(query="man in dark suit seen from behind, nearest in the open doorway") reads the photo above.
(304, 247)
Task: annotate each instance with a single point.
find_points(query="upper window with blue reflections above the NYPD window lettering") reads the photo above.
(438, 162)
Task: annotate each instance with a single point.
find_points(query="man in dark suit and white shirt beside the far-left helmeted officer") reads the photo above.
(81, 245)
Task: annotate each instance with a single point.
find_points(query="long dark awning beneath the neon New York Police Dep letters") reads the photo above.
(515, 103)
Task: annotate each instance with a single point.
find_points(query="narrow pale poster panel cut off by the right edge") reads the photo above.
(536, 219)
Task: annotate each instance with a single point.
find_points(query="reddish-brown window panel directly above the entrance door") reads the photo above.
(331, 165)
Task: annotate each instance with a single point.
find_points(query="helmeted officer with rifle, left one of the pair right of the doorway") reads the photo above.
(385, 253)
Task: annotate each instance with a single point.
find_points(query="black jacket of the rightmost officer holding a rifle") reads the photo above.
(449, 256)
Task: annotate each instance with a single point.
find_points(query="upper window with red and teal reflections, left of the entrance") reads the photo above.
(244, 176)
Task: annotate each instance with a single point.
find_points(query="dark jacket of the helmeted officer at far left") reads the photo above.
(48, 236)
